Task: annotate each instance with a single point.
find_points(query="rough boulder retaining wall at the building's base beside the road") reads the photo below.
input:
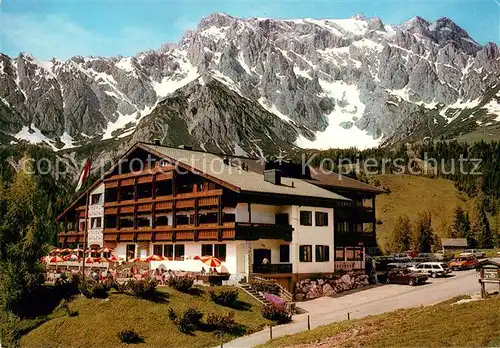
(326, 286)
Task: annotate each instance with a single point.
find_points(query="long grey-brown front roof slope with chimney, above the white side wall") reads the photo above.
(243, 180)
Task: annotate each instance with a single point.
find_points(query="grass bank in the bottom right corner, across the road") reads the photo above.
(472, 324)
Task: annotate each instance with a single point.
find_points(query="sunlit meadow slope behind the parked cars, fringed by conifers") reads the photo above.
(411, 195)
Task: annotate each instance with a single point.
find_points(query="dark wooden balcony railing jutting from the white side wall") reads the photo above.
(256, 231)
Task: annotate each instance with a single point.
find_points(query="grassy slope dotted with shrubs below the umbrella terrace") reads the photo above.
(99, 321)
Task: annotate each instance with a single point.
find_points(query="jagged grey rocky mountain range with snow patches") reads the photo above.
(258, 85)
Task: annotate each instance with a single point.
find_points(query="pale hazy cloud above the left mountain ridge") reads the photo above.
(54, 35)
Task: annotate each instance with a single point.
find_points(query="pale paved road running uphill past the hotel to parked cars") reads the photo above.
(373, 301)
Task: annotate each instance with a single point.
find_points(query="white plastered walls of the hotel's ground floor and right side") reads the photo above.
(236, 261)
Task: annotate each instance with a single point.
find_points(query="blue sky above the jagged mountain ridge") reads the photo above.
(63, 28)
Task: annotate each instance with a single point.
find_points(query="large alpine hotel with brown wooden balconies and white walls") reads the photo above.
(181, 203)
